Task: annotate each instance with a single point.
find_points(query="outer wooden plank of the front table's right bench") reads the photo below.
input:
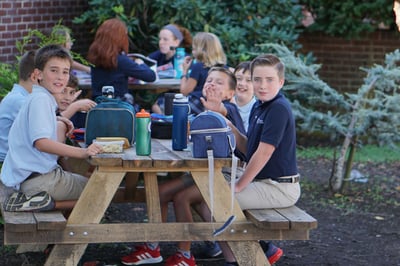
(298, 218)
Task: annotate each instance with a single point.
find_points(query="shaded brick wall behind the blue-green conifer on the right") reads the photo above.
(341, 58)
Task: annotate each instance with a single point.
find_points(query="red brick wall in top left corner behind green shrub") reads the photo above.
(17, 17)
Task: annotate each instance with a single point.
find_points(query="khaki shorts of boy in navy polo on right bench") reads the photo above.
(268, 194)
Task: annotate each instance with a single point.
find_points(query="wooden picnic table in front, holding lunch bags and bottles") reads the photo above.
(83, 225)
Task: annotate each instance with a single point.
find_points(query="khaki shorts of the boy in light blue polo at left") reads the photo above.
(61, 185)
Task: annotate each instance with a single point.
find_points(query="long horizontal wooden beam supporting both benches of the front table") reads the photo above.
(153, 232)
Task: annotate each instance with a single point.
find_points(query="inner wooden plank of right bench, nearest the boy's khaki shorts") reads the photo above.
(267, 218)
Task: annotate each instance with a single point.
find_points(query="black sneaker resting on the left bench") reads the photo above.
(19, 202)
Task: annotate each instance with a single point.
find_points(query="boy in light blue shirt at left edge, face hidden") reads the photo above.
(14, 100)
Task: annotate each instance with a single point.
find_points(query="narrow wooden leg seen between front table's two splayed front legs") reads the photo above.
(152, 197)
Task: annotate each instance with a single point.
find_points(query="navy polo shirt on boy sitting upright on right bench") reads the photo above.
(272, 122)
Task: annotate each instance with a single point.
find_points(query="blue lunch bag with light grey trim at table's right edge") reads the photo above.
(209, 130)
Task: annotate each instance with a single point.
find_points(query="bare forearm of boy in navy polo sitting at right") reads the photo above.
(256, 163)
